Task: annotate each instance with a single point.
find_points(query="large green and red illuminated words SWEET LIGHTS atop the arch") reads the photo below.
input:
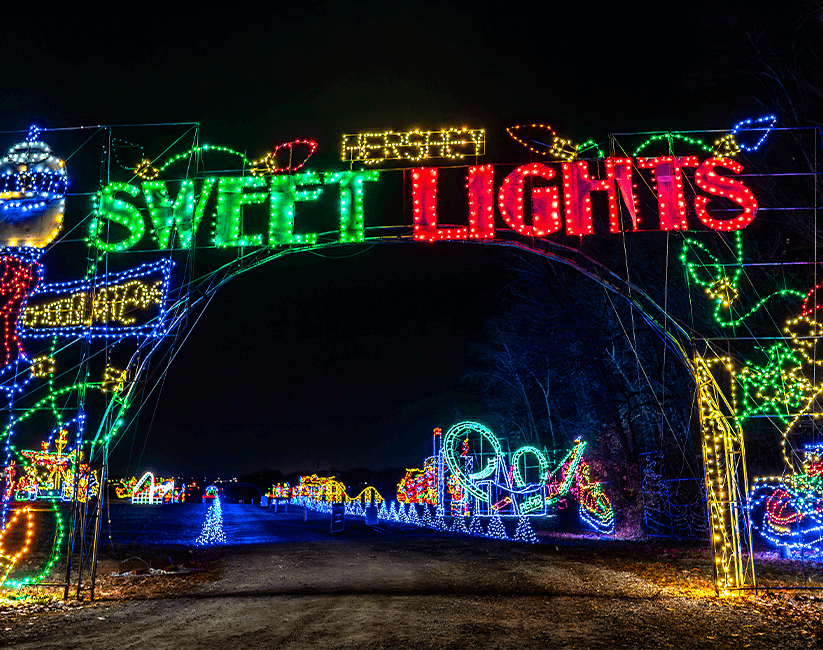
(137, 211)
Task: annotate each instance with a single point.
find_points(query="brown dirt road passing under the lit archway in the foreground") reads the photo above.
(413, 588)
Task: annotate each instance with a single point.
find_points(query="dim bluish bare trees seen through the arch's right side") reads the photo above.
(564, 359)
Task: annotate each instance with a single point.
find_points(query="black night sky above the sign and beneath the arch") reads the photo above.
(350, 360)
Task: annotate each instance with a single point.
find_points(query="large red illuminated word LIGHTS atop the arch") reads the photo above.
(578, 185)
